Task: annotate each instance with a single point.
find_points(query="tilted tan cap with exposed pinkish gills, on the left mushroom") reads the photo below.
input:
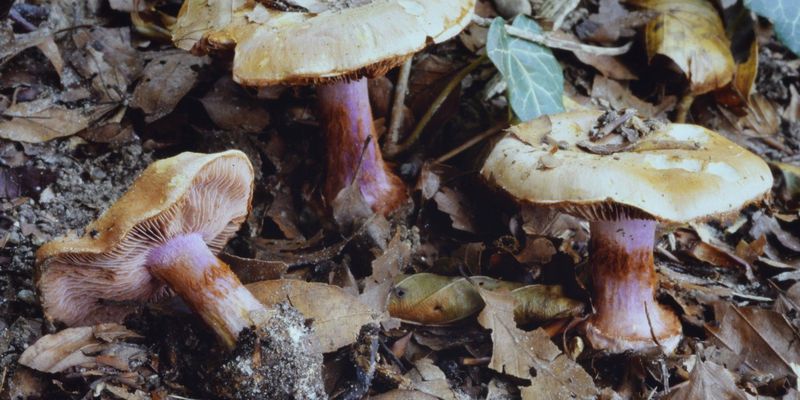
(101, 276)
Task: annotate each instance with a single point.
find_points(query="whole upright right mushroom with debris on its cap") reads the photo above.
(624, 178)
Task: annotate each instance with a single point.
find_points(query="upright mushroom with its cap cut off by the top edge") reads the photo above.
(335, 45)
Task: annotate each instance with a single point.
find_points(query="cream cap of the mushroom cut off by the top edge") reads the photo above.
(277, 47)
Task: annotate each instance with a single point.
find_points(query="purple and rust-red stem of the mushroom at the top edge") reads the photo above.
(347, 120)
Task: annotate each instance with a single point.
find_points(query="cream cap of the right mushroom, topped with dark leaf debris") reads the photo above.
(675, 174)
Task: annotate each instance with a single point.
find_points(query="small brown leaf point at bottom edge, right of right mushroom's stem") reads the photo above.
(708, 381)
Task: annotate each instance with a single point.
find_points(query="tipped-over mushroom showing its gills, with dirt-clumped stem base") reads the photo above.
(162, 235)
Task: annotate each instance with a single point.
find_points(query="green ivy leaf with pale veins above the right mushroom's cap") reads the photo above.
(534, 78)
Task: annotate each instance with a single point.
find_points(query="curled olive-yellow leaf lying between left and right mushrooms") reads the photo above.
(431, 299)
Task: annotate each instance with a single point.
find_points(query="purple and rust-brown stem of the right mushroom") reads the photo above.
(624, 281)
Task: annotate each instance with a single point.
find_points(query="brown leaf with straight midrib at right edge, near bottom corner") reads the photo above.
(762, 337)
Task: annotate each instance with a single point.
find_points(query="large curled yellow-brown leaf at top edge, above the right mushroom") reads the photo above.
(690, 33)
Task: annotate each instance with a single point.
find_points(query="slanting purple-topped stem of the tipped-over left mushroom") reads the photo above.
(207, 285)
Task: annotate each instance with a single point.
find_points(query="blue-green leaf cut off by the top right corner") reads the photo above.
(785, 17)
